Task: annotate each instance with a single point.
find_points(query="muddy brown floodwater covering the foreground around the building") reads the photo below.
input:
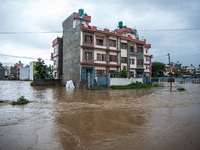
(57, 118)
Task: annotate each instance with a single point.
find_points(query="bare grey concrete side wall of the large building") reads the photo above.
(71, 52)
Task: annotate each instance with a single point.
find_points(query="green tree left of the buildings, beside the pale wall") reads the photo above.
(40, 68)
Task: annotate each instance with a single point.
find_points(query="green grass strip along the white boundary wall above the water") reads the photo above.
(137, 85)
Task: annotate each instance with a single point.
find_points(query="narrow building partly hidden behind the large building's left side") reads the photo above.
(56, 57)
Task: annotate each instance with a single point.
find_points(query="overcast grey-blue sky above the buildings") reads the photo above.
(155, 21)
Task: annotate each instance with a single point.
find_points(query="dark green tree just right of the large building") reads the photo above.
(158, 69)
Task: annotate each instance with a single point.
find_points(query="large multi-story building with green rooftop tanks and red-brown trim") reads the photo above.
(89, 50)
